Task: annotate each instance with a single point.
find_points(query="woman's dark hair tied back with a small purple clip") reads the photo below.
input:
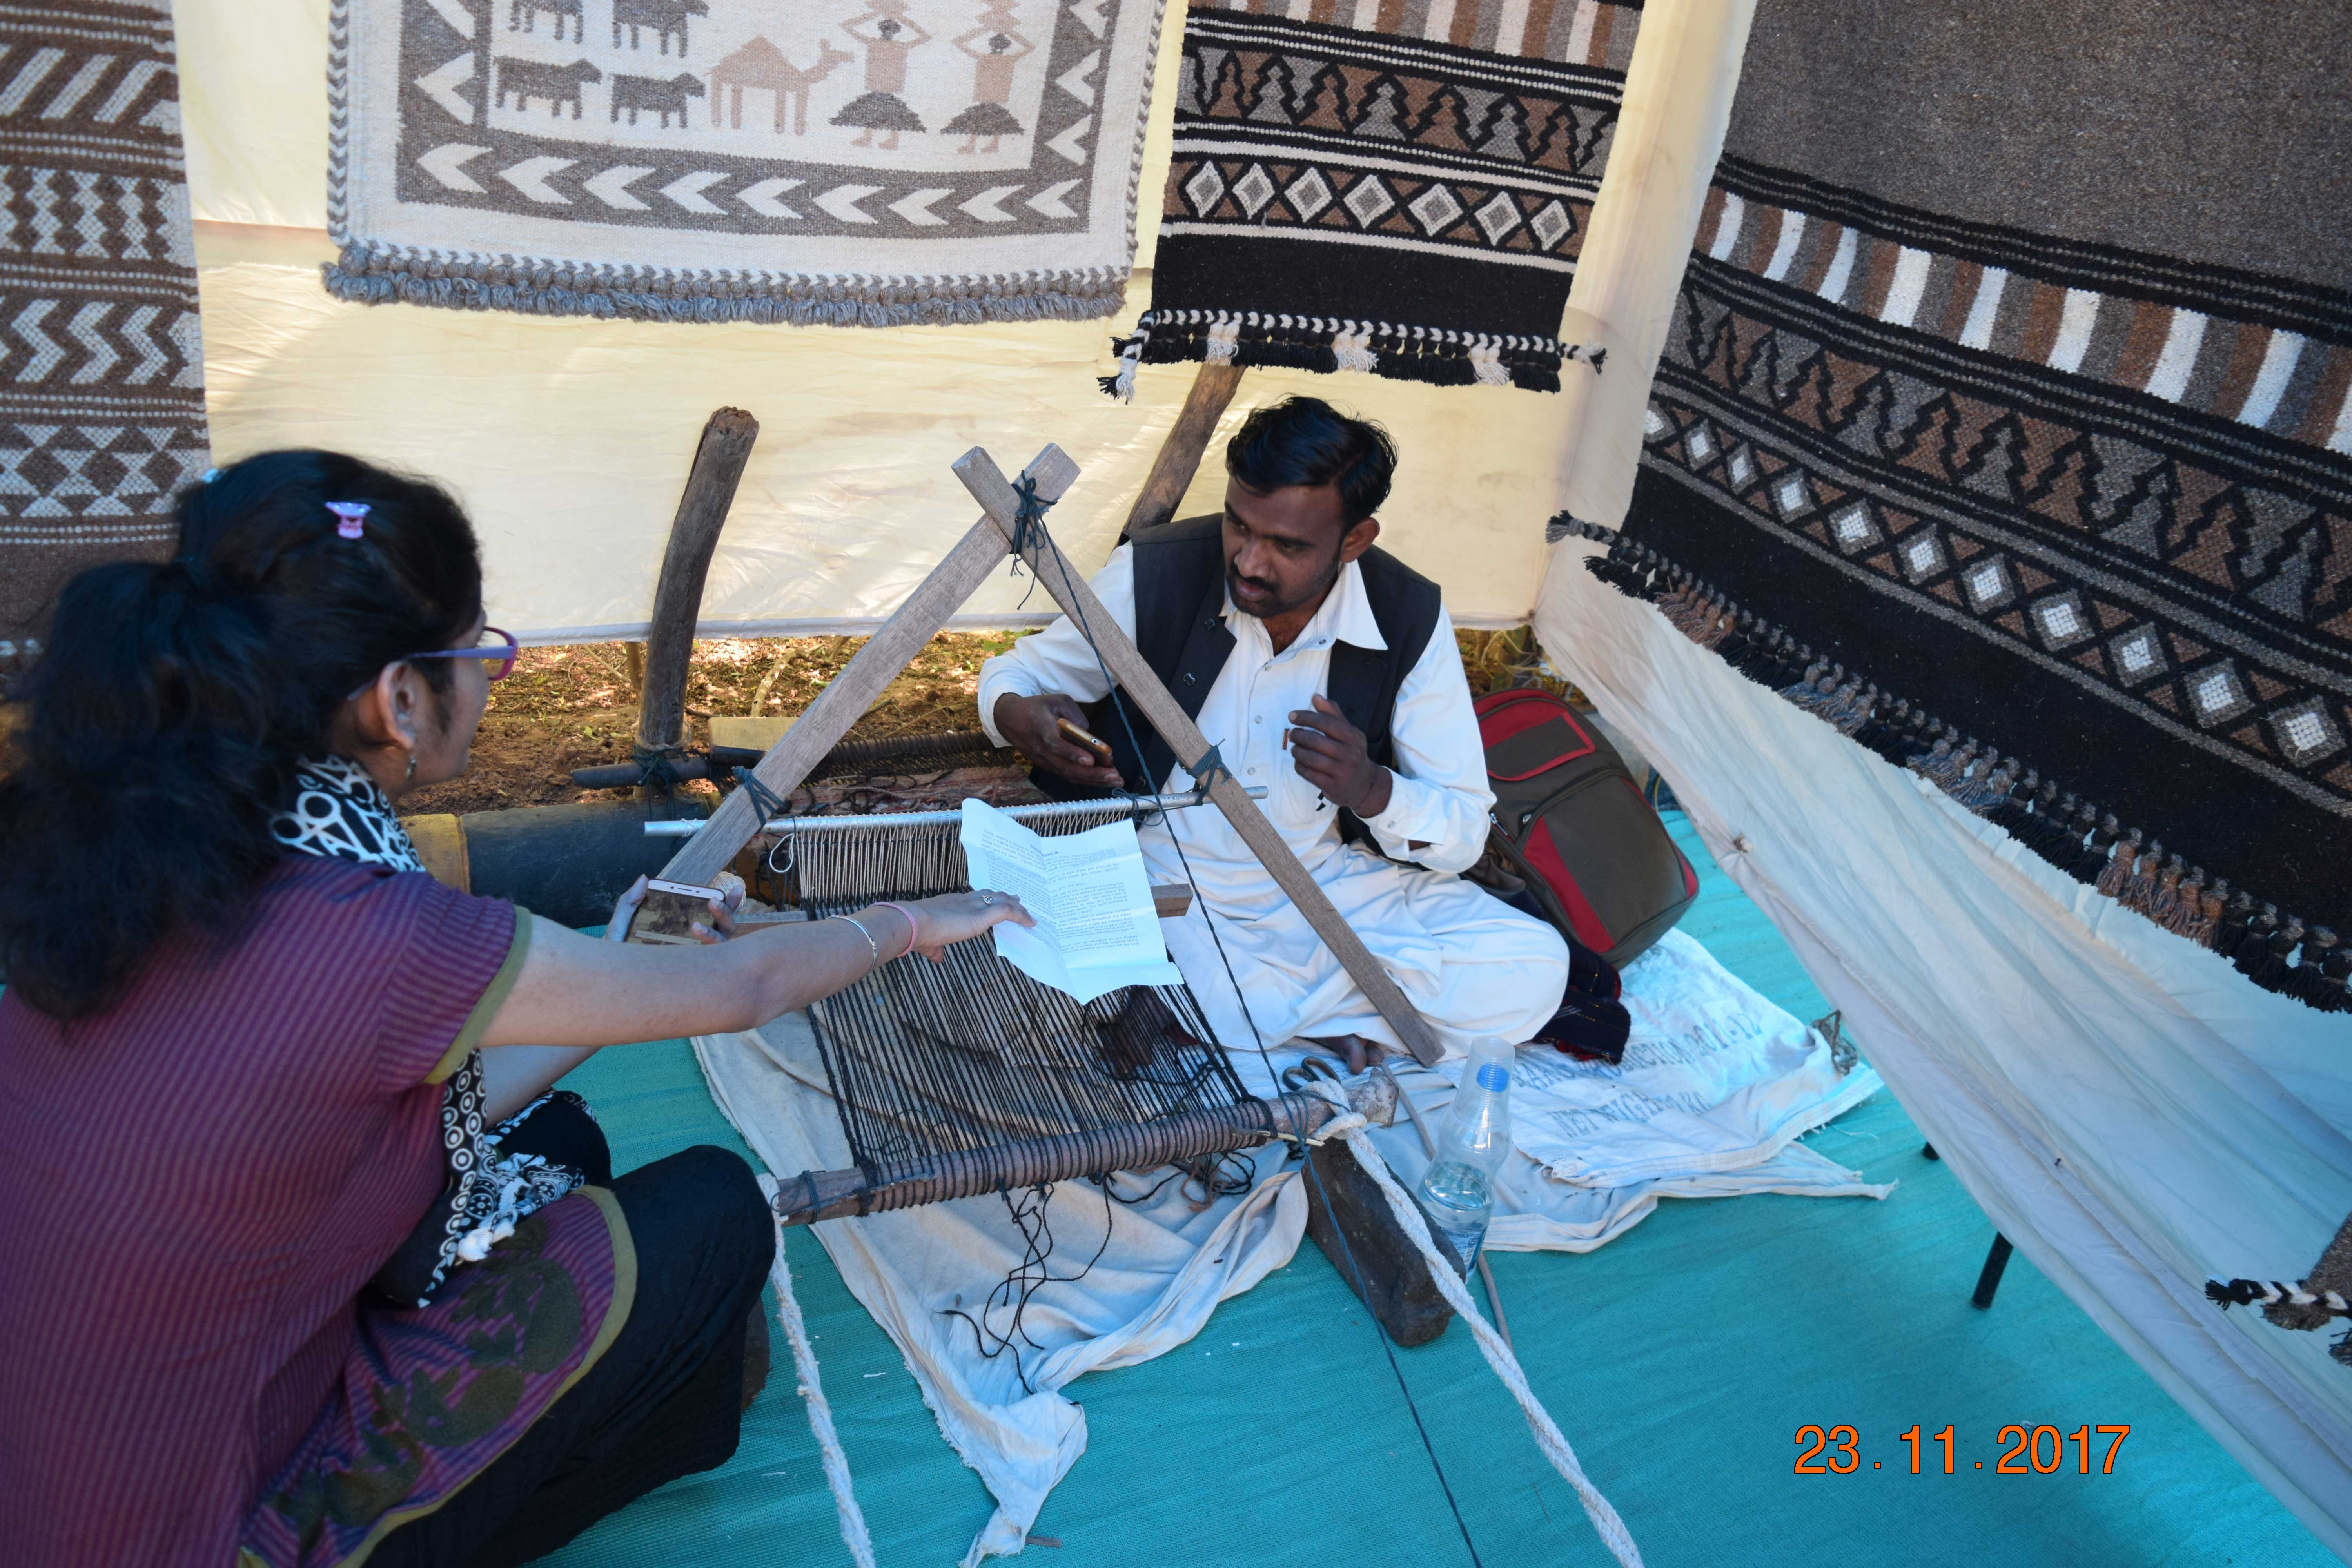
(161, 730)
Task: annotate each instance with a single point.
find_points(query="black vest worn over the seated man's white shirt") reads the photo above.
(1182, 634)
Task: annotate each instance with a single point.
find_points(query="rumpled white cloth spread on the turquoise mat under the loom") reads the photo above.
(1716, 1090)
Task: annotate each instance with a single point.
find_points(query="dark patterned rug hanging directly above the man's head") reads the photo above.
(1394, 187)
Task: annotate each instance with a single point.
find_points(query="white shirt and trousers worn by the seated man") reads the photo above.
(1469, 963)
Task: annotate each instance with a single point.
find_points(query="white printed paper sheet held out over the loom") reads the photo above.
(1097, 927)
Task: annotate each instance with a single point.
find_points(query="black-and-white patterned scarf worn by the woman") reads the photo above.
(345, 817)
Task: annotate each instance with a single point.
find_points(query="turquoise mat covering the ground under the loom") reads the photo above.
(1683, 1360)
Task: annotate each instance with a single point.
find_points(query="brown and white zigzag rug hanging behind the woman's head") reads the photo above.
(102, 380)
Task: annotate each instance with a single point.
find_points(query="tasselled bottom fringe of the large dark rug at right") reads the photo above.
(2273, 951)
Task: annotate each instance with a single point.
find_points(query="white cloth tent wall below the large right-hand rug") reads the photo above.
(2130, 1113)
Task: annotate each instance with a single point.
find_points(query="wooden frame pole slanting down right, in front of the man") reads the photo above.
(1175, 725)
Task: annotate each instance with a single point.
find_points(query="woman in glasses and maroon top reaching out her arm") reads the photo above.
(300, 1257)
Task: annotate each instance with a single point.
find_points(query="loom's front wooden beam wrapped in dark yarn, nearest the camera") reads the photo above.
(831, 1195)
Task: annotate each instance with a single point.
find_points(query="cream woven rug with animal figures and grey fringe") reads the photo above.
(806, 161)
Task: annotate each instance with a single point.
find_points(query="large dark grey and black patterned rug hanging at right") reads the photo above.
(2003, 422)
